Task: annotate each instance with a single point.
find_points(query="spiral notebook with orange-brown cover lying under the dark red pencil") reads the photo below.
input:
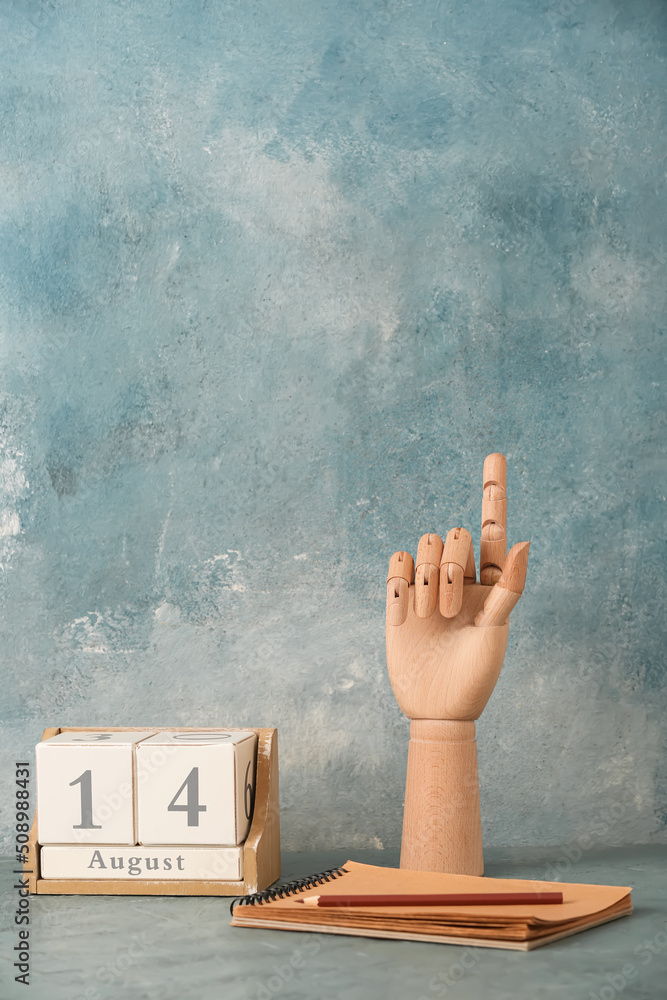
(516, 926)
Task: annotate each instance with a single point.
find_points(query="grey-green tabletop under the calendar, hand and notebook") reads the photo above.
(159, 948)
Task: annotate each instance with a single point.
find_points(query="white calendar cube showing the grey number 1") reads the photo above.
(86, 786)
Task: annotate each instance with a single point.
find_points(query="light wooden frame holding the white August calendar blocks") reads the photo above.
(261, 850)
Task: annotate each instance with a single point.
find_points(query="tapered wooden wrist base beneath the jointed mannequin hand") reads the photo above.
(442, 828)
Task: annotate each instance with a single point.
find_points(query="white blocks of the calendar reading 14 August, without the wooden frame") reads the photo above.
(145, 804)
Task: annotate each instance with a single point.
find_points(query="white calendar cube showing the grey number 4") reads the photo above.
(200, 792)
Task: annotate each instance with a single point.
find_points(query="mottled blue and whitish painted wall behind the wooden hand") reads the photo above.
(274, 277)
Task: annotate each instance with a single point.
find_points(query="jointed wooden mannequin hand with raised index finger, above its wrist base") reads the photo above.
(446, 634)
